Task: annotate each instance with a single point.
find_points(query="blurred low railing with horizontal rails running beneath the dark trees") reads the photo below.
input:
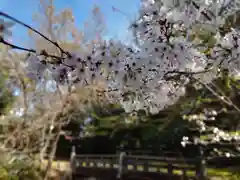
(137, 164)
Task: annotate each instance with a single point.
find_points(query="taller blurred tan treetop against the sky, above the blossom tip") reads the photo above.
(59, 27)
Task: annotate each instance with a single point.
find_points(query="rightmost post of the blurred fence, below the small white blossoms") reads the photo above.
(201, 172)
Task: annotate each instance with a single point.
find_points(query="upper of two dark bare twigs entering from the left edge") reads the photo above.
(32, 29)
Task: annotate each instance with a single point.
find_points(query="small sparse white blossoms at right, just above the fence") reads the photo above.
(210, 134)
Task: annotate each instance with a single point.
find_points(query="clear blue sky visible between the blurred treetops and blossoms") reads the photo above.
(116, 22)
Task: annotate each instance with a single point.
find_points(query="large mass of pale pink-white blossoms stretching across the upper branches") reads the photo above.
(139, 77)
